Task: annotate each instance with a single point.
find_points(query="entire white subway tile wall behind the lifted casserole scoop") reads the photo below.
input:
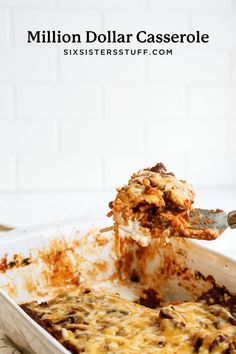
(70, 124)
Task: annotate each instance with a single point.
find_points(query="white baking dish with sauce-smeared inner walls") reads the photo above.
(39, 262)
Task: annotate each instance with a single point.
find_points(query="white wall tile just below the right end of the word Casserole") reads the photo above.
(191, 67)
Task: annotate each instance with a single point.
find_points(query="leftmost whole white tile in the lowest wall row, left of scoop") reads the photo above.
(59, 173)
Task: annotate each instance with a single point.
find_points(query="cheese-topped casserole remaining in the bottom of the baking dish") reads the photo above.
(100, 322)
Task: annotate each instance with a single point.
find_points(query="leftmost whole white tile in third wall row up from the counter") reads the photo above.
(58, 102)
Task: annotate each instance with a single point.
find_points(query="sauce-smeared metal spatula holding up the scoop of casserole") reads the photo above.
(215, 221)
